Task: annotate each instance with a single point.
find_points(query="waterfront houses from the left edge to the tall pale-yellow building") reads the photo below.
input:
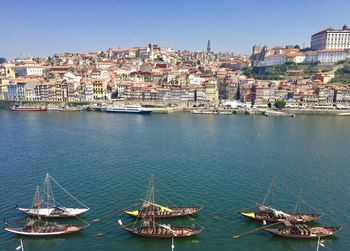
(39, 90)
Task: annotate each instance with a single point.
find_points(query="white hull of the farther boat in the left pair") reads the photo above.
(52, 213)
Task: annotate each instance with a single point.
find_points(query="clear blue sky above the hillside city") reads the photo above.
(45, 27)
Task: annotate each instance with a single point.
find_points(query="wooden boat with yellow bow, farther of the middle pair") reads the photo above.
(165, 212)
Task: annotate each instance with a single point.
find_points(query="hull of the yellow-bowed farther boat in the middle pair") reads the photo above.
(175, 212)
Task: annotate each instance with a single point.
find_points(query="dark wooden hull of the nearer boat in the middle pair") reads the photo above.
(161, 233)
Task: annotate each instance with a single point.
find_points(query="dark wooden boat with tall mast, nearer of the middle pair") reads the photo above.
(148, 227)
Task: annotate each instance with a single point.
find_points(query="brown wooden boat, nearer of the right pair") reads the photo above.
(303, 231)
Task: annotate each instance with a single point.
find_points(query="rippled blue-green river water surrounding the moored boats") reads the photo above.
(224, 163)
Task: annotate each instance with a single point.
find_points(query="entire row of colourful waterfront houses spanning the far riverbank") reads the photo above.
(247, 90)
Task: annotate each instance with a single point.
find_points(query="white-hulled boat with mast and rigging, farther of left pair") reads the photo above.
(51, 210)
